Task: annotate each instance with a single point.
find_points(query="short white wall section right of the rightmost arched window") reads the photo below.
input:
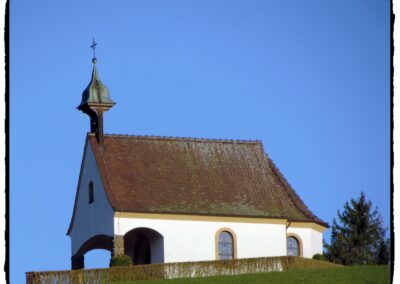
(310, 238)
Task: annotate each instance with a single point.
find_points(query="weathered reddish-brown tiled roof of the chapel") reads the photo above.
(151, 174)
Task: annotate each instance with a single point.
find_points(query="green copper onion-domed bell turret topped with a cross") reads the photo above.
(95, 101)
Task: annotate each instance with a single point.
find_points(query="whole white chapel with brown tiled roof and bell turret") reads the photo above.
(170, 199)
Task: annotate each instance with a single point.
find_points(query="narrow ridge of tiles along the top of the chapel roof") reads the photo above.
(177, 138)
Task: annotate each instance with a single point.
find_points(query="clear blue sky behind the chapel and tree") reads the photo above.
(310, 79)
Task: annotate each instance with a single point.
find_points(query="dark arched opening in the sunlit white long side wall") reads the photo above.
(144, 246)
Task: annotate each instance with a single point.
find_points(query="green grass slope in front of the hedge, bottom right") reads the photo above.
(353, 275)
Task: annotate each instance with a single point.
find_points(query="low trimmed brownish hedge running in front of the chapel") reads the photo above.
(176, 270)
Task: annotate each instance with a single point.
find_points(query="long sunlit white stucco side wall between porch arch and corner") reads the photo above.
(194, 240)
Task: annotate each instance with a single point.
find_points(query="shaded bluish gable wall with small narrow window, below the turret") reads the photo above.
(95, 218)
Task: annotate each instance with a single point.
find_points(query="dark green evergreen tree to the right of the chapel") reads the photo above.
(359, 237)
